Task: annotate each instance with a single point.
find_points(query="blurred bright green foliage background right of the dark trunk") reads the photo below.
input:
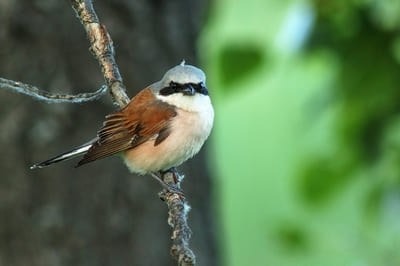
(306, 144)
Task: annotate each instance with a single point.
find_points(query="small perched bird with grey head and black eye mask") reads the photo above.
(161, 127)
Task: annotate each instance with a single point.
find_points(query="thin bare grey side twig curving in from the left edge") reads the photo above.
(48, 97)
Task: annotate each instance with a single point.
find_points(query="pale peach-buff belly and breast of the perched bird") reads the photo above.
(188, 133)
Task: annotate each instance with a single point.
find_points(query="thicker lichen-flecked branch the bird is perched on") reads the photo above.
(102, 49)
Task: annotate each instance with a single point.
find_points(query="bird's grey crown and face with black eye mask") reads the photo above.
(185, 79)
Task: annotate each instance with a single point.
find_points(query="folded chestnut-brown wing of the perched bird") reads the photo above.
(130, 127)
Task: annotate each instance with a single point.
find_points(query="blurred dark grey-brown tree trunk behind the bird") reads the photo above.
(98, 214)
